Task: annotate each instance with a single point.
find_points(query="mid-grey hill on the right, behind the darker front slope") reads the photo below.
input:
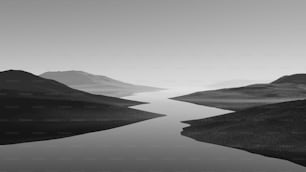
(287, 88)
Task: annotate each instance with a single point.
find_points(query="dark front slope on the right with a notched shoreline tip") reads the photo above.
(277, 130)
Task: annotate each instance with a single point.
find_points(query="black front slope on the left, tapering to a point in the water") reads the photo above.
(26, 120)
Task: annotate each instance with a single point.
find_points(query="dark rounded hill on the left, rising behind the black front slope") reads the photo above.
(24, 84)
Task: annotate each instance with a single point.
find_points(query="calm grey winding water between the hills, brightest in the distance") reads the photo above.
(150, 146)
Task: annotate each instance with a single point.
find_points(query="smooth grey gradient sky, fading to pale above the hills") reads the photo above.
(165, 43)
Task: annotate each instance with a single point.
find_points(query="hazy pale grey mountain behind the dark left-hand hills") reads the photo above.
(96, 84)
